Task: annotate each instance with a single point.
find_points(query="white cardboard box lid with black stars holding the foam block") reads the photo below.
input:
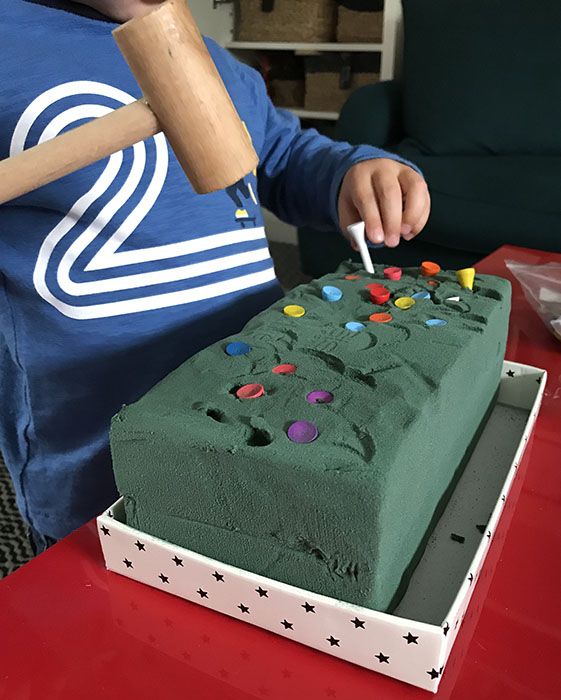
(413, 643)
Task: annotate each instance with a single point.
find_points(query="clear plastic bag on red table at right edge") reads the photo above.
(542, 288)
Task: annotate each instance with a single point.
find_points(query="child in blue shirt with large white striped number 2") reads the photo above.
(113, 276)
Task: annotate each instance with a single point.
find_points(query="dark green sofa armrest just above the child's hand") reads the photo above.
(372, 115)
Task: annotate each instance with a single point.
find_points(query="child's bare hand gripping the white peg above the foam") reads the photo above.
(391, 198)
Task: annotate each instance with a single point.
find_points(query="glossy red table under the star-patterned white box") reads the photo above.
(69, 629)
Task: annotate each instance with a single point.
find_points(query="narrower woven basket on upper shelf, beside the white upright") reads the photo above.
(360, 21)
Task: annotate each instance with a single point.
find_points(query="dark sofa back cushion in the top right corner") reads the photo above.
(483, 76)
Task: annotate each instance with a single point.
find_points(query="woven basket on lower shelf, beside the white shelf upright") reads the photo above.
(330, 79)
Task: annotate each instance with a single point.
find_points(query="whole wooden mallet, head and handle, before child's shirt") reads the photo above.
(184, 97)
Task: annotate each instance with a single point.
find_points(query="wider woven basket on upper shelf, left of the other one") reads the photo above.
(286, 20)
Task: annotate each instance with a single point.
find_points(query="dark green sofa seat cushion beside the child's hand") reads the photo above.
(482, 202)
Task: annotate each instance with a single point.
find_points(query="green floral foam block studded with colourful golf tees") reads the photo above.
(317, 447)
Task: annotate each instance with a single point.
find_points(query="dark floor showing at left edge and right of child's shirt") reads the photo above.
(14, 545)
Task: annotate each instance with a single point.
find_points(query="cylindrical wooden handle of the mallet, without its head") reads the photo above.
(76, 149)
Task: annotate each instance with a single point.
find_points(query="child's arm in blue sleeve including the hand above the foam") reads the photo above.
(308, 179)
